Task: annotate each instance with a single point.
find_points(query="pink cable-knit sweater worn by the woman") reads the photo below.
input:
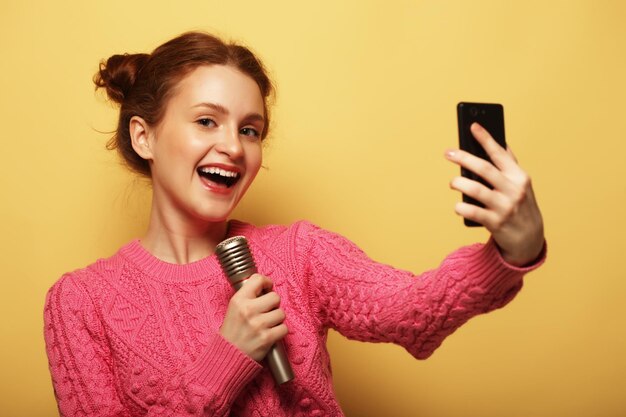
(135, 336)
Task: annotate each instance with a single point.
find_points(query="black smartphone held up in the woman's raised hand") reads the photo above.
(491, 117)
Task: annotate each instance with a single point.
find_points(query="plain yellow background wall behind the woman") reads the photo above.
(365, 109)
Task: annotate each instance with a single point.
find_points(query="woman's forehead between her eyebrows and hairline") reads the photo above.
(218, 84)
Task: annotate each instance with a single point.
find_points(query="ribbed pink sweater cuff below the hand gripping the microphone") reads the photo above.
(223, 368)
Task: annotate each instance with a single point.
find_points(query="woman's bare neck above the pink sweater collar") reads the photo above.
(182, 241)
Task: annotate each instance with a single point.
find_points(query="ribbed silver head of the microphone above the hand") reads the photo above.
(236, 259)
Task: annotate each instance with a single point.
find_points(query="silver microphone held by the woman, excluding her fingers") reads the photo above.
(238, 265)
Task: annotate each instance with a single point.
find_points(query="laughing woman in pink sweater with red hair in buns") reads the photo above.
(156, 330)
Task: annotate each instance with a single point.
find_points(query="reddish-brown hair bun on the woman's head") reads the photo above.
(118, 74)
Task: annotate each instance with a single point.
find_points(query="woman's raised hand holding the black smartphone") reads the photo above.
(511, 213)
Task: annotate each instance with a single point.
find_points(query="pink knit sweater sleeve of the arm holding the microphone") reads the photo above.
(82, 373)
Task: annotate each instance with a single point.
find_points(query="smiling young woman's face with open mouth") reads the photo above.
(207, 149)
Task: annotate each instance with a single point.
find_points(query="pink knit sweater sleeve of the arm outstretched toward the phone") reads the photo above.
(369, 301)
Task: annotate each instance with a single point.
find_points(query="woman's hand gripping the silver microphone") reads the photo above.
(253, 321)
